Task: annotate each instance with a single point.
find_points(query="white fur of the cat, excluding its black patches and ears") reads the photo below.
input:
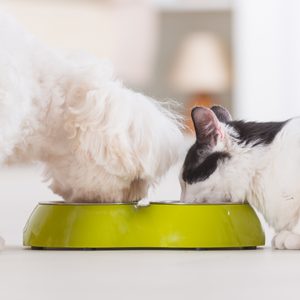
(267, 176)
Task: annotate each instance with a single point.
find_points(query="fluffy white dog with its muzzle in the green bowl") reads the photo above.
(99, 141)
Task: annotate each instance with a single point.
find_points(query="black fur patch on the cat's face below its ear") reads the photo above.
(199, 164)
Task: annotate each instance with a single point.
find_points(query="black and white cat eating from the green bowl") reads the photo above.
(237, 161)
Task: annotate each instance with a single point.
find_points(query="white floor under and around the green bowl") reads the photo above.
(32, 274)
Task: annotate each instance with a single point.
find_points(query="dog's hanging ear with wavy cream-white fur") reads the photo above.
(91, 120)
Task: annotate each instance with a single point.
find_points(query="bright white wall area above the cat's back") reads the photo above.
(267, 59)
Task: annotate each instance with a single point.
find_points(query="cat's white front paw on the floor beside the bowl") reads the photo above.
(286, 240)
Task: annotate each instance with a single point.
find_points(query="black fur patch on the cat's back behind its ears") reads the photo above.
(257, 132)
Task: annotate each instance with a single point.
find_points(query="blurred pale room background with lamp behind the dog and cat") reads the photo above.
(242, 54)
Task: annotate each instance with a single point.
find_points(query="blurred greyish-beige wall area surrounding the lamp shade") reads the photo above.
(174, 27)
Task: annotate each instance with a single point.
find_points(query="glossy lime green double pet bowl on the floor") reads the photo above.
(159, 225)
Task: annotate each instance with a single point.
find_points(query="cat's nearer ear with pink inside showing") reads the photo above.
(207, 126)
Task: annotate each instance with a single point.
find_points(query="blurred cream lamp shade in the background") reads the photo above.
(201, 65)
